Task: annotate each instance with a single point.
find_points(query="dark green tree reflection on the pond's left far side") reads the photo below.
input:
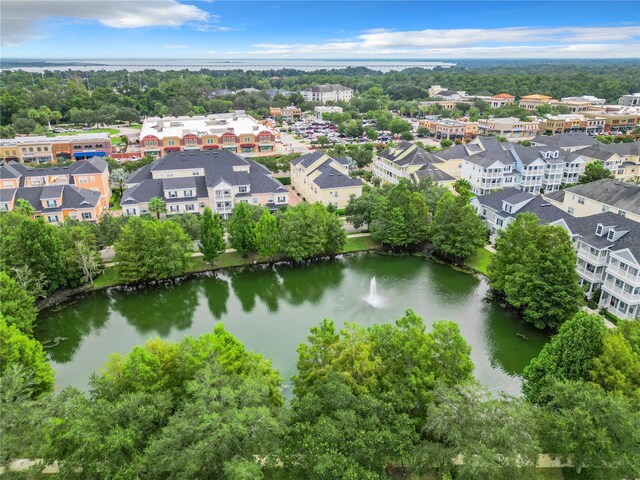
(160, 310)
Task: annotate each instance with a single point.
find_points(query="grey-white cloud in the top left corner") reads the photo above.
(21, 18)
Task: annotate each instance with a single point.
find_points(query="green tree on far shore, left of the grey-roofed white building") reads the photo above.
(457, 230)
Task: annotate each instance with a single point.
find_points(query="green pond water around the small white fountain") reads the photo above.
(271, 309)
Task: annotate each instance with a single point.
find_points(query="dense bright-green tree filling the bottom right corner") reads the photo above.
(592, 429)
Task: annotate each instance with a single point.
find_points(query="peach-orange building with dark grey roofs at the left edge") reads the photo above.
(79, 191)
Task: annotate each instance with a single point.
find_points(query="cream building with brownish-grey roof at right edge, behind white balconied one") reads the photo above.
(605, 195)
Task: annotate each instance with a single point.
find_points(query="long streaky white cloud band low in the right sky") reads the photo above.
(516, 42)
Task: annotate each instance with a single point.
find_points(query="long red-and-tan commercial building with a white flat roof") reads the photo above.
(235, 132)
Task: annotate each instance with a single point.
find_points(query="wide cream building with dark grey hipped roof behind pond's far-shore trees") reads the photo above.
(189, 181)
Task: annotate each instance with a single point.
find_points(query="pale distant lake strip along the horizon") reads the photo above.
(136, 65)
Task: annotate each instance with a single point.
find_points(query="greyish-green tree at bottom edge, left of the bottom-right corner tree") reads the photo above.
(494, 437)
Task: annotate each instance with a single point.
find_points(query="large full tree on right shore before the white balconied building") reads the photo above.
(534, 268)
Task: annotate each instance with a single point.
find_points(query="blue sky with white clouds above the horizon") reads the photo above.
(140, 29)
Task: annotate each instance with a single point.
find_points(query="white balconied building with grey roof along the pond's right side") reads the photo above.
(607, 245)
